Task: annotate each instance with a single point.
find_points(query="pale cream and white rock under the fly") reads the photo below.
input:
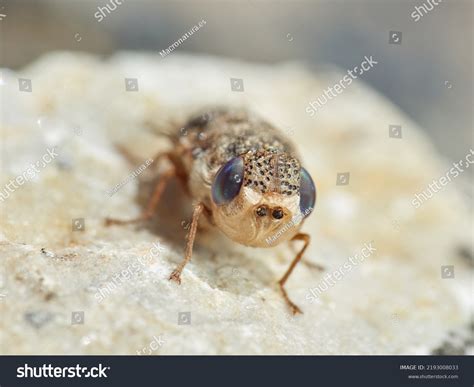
(57, 286)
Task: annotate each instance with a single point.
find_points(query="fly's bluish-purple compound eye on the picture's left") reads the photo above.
(228, 181)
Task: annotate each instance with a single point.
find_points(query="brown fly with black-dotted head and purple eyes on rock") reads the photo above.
(245, 177)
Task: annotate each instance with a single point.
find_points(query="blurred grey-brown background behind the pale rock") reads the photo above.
(428, 75)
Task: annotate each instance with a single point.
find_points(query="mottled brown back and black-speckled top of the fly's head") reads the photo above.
(271, 163)
